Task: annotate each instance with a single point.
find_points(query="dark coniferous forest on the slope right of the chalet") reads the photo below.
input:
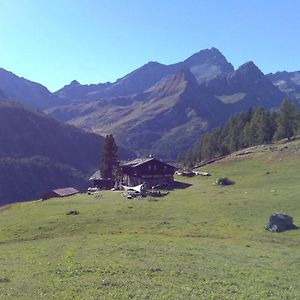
(254, 127)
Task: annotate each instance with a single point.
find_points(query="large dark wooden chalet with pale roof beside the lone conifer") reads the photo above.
(149, 171)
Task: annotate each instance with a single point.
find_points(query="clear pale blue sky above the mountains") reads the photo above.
(56, 41)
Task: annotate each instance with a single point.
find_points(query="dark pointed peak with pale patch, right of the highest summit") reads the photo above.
(244, 88)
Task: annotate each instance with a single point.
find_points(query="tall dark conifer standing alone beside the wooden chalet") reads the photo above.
(109, 156)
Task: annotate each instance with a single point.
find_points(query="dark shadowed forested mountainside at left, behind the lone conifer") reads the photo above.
(38, 153)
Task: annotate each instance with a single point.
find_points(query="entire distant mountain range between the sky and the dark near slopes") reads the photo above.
(160, 109)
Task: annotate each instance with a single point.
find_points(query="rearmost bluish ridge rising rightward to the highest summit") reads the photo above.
(205, 65)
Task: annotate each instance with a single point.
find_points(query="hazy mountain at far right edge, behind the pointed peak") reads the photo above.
(288, 83)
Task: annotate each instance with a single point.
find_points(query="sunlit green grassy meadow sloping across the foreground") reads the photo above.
(204, 242)
